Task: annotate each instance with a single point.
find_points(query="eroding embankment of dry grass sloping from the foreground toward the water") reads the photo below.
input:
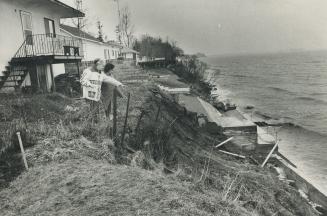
(168, 165)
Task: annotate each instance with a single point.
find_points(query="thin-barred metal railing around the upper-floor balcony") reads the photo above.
(49, 45)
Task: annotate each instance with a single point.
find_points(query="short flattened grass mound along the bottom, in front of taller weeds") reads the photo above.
(92, 187)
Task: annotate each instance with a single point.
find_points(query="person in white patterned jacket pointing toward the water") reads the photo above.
(91, 81)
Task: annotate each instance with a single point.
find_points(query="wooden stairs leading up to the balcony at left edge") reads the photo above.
(13, 77)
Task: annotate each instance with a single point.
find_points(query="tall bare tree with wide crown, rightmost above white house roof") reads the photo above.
(125, 27)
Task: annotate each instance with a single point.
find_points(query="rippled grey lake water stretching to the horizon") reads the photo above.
(284, 88)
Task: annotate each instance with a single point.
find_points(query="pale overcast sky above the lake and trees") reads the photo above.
(222, 26)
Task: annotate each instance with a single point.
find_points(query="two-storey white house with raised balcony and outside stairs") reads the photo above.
(31, 48)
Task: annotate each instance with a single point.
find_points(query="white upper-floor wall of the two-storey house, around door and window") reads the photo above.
(10, 21)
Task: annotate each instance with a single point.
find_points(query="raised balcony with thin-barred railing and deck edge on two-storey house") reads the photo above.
(49, 48)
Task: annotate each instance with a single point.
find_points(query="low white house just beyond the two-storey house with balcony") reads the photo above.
(92, 46)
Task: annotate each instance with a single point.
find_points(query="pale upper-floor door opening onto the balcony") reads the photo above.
(27, 27)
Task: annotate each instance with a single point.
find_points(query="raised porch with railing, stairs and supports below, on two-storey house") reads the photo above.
(36, 56)
